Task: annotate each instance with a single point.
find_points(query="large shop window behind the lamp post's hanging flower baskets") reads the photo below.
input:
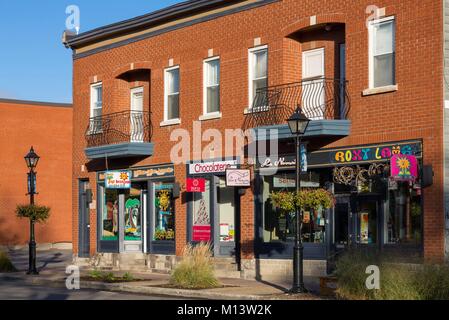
(281, 226)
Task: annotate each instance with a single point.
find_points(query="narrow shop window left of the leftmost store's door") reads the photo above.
(110, 215)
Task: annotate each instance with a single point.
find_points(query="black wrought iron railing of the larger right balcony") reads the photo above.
(319, 99)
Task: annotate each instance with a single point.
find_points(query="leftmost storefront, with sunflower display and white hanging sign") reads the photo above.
(136, 211)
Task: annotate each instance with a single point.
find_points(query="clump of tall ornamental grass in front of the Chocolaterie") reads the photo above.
(196, 270)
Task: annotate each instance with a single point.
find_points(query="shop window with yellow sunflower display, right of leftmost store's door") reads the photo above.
(164, 211)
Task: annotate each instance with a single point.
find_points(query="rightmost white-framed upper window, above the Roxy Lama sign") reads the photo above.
(382, 53)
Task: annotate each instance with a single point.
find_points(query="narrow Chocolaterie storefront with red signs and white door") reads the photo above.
(213, 208)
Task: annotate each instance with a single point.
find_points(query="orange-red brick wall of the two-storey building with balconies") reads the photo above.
(414, 111)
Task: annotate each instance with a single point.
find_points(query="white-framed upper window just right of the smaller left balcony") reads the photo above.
(171, 101)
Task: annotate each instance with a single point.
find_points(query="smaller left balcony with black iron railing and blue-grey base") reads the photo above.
(121, 134)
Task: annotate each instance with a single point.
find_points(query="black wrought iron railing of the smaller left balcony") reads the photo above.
(120, 127)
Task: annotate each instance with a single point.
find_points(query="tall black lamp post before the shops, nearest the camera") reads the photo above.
(298, 124)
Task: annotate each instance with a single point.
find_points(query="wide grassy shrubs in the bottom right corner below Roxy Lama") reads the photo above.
(398, 281)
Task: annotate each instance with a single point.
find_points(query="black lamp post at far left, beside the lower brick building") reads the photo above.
(31, 160)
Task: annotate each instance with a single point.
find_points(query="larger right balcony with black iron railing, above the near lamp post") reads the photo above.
(325, 101)
